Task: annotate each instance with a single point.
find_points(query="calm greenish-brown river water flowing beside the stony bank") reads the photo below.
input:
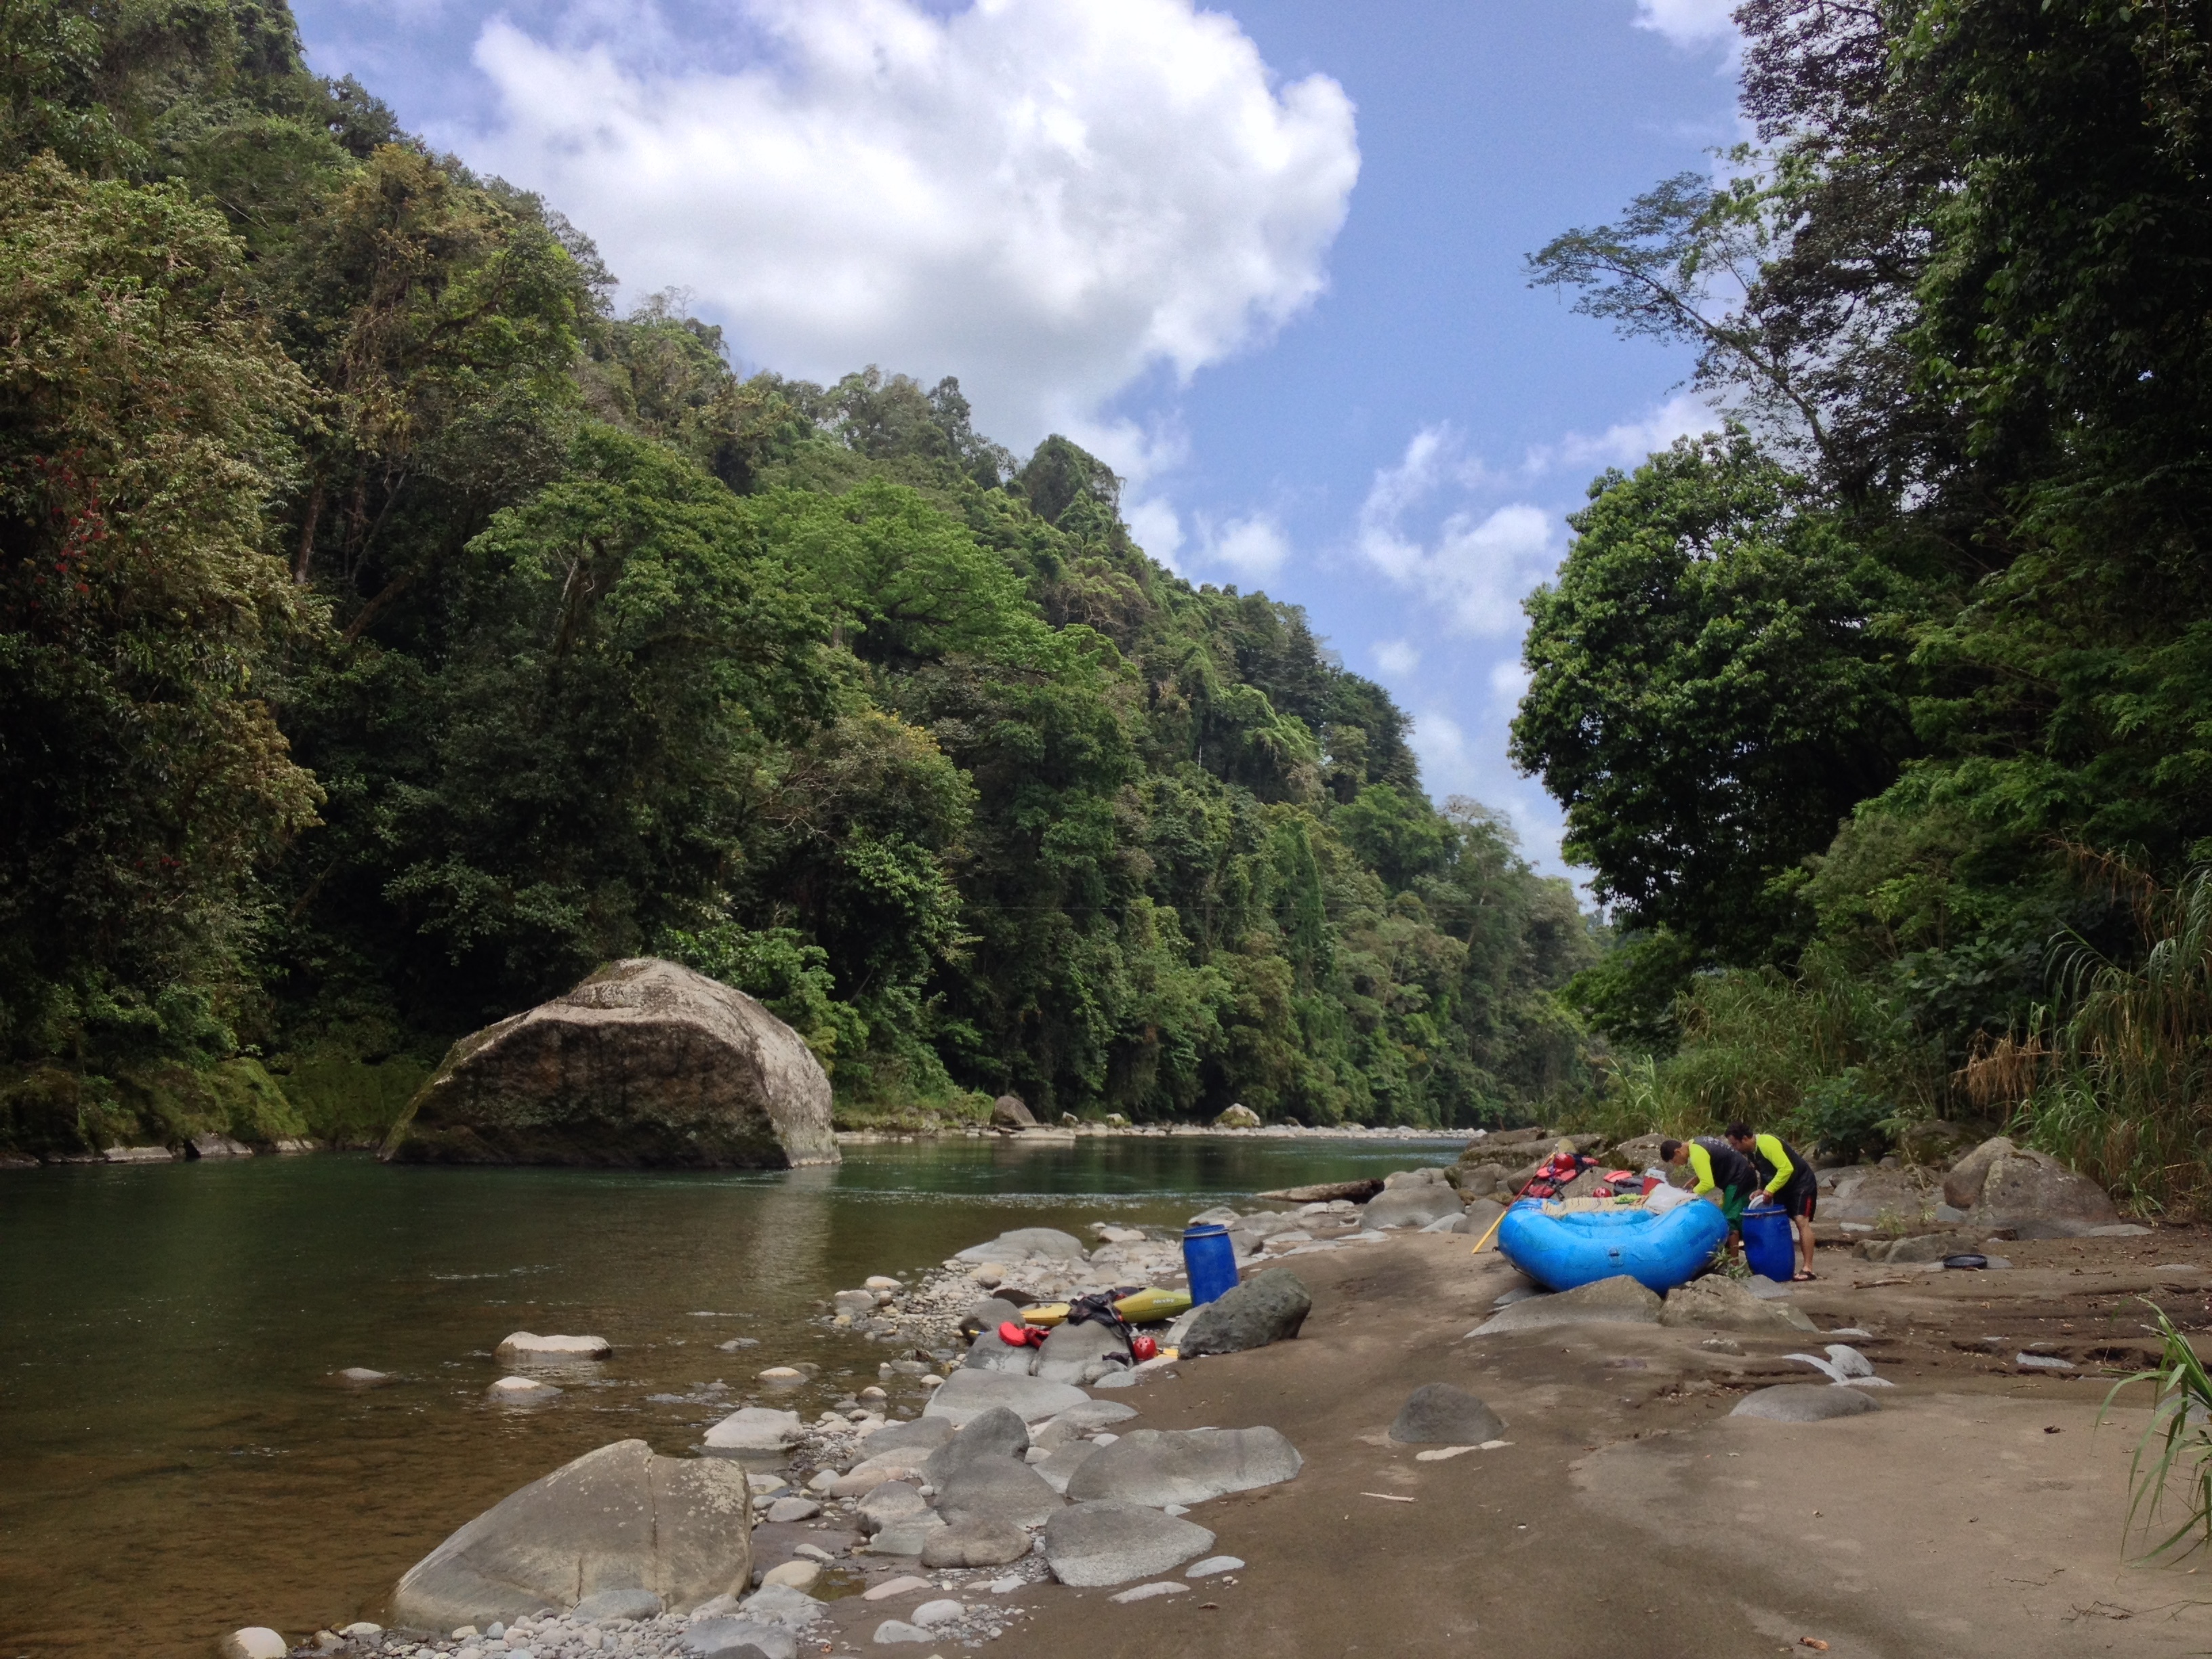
(176, 1459)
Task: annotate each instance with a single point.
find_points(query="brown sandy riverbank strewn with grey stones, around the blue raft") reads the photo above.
(1284, 1492)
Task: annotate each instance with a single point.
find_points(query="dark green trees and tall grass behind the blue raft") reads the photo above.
(1886, 718)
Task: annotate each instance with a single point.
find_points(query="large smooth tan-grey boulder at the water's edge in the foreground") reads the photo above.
(618, 1519)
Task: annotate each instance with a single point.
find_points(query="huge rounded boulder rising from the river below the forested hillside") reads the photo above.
(640, 1065)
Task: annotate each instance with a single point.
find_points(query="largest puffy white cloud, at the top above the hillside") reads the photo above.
(1047, 198)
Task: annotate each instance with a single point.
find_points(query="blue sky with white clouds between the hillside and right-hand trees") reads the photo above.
(1266, 260)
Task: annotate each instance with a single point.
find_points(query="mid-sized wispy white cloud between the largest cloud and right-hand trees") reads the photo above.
(1474, 570)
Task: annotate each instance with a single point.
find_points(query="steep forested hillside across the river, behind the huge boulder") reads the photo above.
(390, 634)
